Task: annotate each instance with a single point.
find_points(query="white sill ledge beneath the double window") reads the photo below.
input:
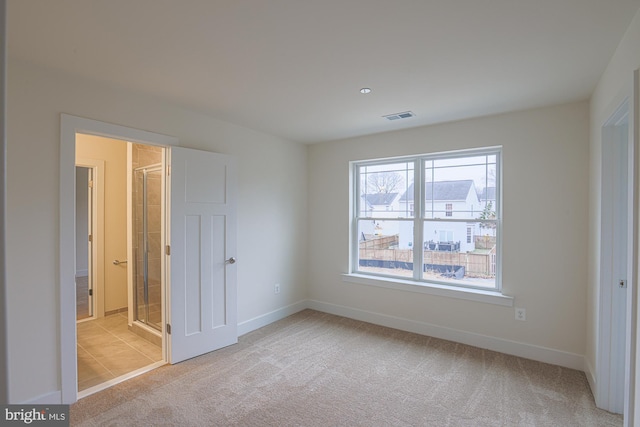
(479, 295)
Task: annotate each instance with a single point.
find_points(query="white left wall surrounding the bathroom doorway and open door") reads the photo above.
(272, 207)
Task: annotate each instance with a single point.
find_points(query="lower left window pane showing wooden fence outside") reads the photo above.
(385, 247)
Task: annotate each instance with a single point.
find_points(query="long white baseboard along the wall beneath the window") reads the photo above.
(514, 348)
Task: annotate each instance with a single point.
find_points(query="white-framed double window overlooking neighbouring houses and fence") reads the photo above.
(442, 221)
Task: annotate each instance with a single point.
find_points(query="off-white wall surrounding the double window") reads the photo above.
(545, 154)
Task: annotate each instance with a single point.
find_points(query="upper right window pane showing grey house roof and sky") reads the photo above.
(460, 188)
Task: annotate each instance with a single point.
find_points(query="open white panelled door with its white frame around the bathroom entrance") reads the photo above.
(200, 311)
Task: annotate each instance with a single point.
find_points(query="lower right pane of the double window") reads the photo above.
(460, 253)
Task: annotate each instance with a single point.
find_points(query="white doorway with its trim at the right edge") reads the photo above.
(615, 262)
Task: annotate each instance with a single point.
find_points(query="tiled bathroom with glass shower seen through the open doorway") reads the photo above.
(110, 346)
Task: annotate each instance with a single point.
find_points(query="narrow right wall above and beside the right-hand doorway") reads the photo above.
(613, 87)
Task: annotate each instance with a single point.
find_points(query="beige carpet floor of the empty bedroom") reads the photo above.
(316, 369)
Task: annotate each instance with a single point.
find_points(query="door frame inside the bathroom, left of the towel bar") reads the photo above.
(96, 260)
